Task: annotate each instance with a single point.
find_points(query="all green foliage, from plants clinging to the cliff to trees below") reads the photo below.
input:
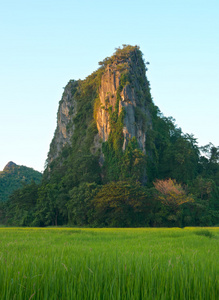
(173, 183)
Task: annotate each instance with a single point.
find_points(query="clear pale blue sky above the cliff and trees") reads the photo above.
(44, 44)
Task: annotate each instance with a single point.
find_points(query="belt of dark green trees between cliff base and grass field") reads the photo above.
(181, 187)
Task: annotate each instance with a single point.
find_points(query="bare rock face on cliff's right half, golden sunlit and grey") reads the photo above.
(132, 95)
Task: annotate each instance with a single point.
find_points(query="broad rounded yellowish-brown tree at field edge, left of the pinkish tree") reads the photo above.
(122, 204)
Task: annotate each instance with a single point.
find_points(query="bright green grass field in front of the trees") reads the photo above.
(66, 263)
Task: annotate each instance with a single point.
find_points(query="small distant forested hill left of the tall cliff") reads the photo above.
(14, 176)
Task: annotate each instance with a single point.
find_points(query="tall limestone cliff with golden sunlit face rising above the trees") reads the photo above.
(111, 105)
